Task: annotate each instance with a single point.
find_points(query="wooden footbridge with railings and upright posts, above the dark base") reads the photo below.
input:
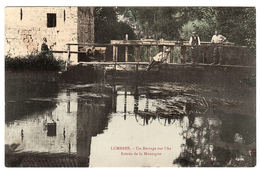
(138, 53)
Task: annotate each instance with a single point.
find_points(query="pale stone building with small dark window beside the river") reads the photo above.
(25, 28)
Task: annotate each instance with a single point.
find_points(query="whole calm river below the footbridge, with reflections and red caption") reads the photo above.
(127, 123)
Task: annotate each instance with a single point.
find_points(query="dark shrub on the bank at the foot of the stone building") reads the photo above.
(41, 61)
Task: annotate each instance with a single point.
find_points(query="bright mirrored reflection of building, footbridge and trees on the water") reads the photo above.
(87, 120)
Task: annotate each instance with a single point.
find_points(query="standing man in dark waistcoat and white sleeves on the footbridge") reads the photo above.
(194, 43)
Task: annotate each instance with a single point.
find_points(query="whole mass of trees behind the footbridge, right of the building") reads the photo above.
(238, 24)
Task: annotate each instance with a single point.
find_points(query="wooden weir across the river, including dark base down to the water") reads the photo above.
(134, 55)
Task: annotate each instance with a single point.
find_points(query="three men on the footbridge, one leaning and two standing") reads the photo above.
(194, 42)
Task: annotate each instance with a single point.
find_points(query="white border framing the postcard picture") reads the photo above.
(4, 3)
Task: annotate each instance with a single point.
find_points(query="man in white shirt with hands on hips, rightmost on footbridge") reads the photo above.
(216, 40)
